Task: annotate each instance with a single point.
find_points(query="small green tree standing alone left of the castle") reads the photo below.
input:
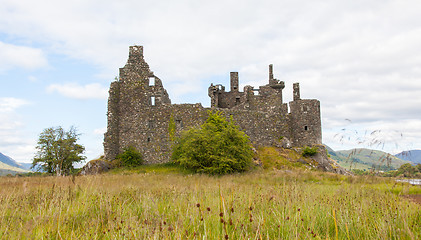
(57, 151)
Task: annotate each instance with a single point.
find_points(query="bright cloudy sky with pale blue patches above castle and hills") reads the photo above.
(361, 59)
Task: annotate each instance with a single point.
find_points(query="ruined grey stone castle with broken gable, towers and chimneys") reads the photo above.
(140, 112)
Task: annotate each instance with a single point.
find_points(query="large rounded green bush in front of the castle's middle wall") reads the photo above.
(216, 147)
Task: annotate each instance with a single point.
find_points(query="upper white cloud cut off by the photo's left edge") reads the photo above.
(21, 57)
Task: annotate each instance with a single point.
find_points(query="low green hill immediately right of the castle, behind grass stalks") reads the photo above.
(366, 159)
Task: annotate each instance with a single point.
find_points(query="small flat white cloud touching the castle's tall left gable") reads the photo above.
(73, 90)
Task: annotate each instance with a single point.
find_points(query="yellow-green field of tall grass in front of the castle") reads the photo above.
(164, 203)
